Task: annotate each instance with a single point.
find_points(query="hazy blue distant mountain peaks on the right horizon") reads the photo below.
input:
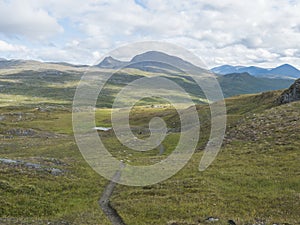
(285, 71)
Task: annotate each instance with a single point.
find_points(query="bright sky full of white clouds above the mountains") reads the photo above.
(258, 32)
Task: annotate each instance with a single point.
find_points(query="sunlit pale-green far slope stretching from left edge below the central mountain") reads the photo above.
(58, 84)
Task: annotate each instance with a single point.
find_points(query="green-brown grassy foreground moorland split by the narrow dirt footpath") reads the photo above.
(254, 178)
